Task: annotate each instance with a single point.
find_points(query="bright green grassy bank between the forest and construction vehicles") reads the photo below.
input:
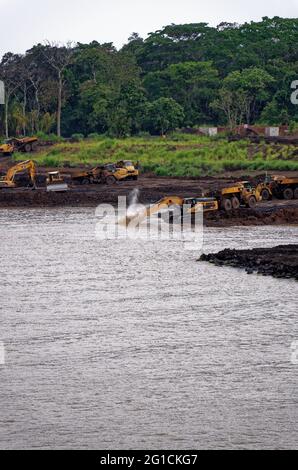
(178, 155)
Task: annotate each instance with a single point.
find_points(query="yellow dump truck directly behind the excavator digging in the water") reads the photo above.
(241, 194)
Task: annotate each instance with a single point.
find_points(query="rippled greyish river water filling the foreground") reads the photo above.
(129, 344)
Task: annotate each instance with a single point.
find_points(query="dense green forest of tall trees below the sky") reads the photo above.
(182, 75)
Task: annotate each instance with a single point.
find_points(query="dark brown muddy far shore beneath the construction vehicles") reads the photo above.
(151, 189)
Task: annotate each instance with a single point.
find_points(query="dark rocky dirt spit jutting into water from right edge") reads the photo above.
(280, 261)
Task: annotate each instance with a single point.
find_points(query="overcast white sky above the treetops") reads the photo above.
(27, 22)
